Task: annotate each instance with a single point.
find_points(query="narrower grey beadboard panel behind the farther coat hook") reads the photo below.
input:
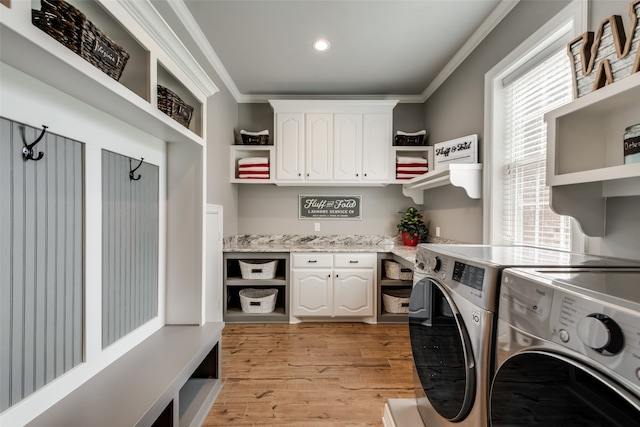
(130, 221)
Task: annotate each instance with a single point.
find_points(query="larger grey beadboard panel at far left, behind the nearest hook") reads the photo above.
(41, 261)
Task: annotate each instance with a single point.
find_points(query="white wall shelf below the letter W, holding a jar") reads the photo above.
(585, 162)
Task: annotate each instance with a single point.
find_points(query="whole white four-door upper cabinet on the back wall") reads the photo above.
(333, 142)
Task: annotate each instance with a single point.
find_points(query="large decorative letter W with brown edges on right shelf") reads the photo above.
(612, 57)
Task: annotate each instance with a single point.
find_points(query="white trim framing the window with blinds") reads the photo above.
(574, 15)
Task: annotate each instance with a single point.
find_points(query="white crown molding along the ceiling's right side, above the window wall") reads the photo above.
(478, 36)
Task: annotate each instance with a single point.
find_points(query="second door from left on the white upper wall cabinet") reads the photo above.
(318, 147)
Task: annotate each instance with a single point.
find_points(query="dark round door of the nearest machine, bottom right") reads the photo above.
(547, 389)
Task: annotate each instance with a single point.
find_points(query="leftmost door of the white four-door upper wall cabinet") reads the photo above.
(290, 146)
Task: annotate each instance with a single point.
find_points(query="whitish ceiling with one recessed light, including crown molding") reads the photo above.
(379, 48)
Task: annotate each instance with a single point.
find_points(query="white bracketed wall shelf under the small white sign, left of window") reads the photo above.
(464, 175)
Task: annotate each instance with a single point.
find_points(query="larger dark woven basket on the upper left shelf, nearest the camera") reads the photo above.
(71, 28)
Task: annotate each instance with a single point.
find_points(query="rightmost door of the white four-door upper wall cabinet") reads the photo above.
(376, 146)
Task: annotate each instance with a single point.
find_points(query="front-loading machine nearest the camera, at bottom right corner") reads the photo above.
(568, 349)
